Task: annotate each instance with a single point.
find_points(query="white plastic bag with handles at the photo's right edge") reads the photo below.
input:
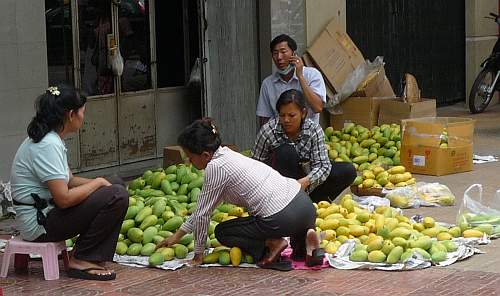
(475, 214)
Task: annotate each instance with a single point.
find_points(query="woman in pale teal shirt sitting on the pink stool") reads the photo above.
(53, 205)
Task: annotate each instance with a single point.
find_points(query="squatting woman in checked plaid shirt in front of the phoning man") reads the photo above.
(295, 147)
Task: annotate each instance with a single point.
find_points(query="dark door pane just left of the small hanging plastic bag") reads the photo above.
(94, 22)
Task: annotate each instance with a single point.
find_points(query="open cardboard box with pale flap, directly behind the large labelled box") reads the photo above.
(393, 111)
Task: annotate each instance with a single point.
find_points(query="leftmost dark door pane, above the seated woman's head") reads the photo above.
(59, 41)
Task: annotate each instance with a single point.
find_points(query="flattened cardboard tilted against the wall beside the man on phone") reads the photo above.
(335, 54)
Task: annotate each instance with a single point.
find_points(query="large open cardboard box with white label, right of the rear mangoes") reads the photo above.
(421, 139)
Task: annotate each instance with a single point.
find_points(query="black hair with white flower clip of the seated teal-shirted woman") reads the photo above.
(51, 108)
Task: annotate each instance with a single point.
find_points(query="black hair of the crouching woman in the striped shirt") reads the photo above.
(201, 135)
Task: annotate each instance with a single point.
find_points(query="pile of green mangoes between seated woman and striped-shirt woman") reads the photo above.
(160, 201)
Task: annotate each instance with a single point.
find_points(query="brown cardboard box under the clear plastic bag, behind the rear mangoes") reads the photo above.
(360, 110)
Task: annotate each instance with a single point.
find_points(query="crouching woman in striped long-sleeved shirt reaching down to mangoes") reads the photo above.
(278, 207)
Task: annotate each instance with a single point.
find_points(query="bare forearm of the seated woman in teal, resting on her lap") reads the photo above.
(65, 196)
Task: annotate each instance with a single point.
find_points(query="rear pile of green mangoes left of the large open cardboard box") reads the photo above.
(361, 146)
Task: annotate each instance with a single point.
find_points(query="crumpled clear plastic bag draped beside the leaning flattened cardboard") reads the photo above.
(352, 82)
